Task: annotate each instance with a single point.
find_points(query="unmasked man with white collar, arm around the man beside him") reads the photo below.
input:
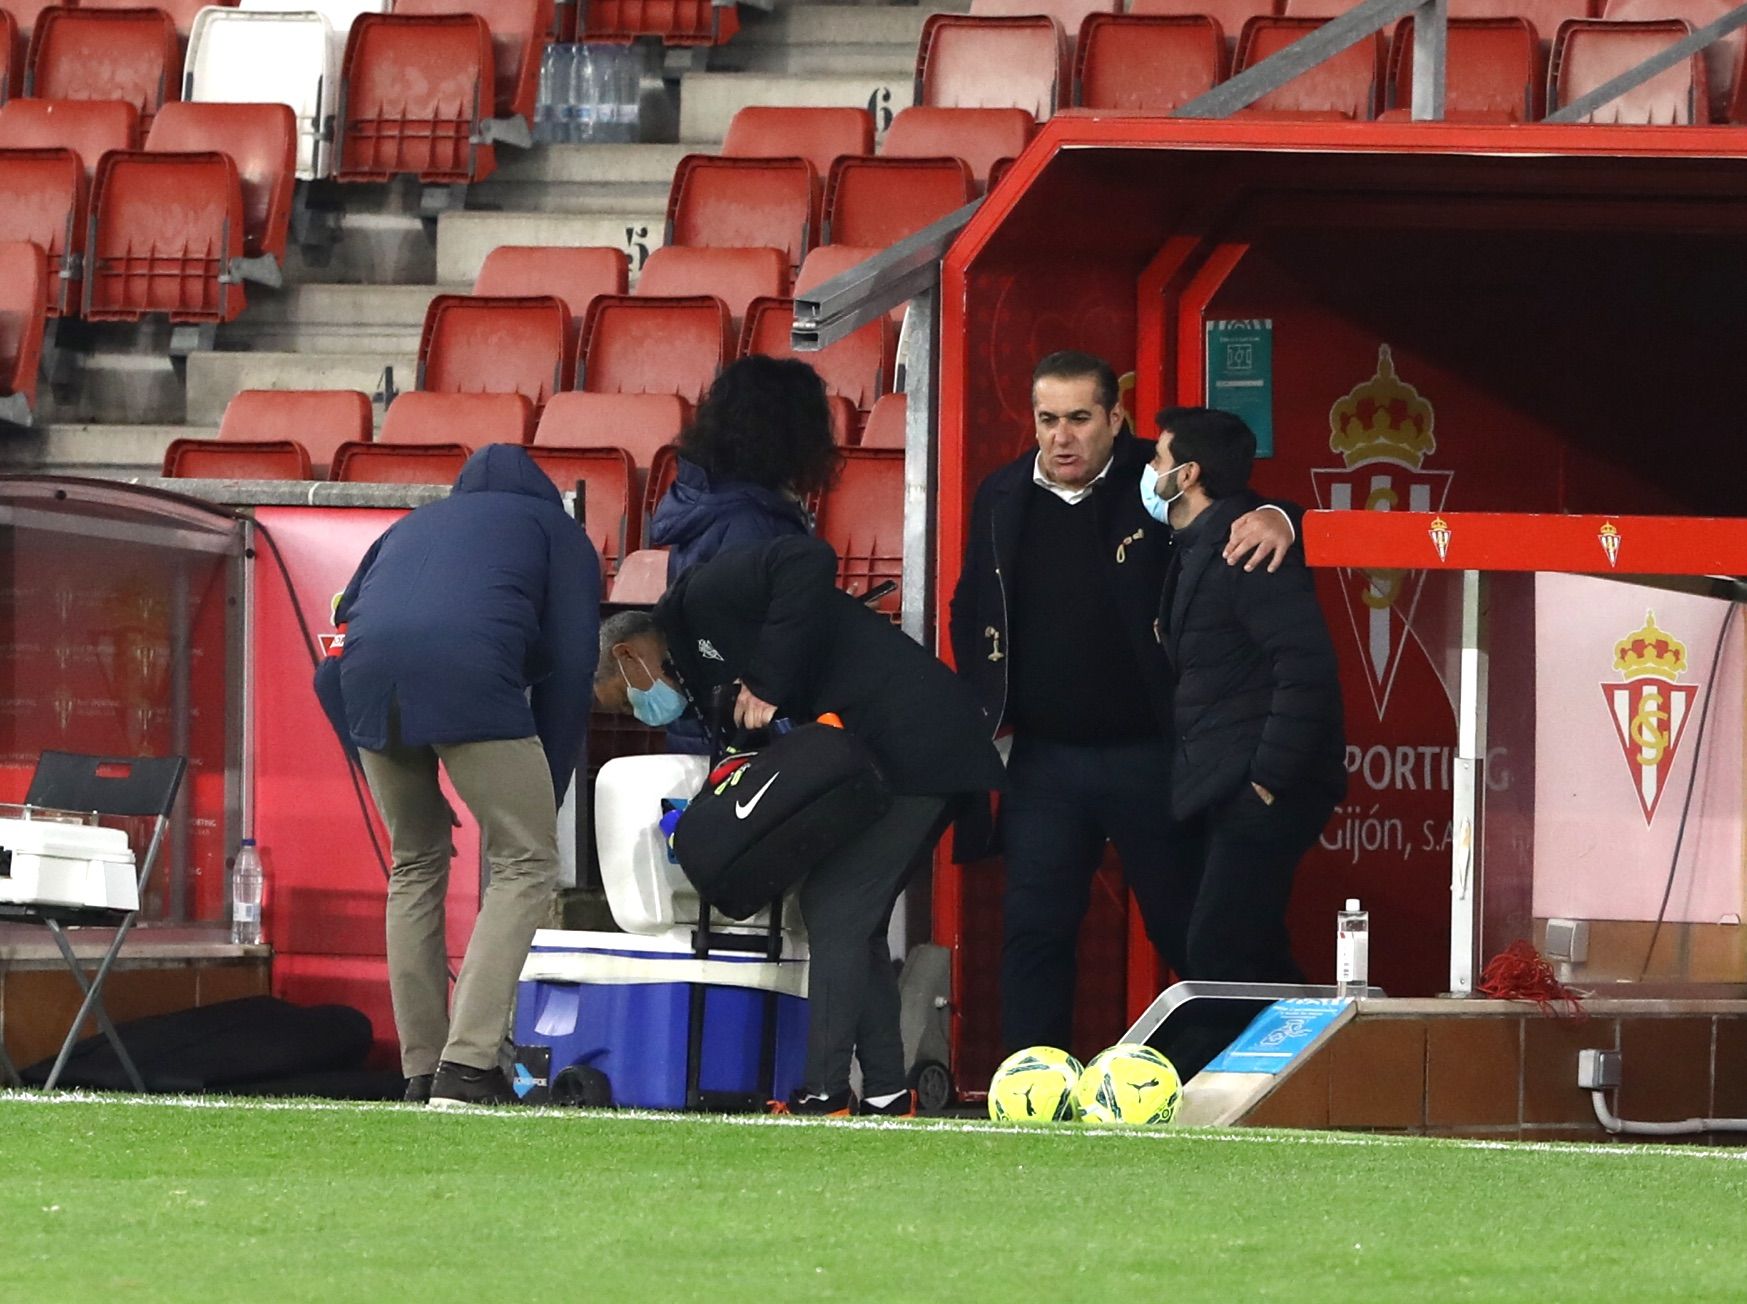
(1053, 625)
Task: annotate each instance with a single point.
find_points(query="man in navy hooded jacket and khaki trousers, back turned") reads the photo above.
(471, 641)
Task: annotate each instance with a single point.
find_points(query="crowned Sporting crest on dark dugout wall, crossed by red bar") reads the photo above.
(1384, 433)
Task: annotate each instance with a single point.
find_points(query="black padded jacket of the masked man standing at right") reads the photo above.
(1257, 681)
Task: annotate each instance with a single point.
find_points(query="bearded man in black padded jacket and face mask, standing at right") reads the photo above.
(1260, 751)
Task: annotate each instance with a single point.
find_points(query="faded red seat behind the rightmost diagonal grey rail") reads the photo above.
(1589, 53)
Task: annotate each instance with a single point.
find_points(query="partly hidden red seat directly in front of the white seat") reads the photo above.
(261, 142)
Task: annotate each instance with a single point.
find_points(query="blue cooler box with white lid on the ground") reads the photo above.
(619, 1004)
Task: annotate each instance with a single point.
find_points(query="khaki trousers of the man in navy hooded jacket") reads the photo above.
(509, 789)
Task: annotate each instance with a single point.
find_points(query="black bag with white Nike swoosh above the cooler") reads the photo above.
(766, 819)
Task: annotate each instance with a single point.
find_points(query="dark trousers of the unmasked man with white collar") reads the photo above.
(1063, 805)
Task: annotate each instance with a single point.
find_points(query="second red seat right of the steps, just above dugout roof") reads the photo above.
(1147, 64)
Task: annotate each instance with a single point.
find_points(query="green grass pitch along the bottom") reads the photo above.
(165, 1202)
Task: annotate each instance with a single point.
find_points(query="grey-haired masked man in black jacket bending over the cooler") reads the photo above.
(773, 620)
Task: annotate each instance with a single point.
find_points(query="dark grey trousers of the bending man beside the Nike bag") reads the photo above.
(852, 988)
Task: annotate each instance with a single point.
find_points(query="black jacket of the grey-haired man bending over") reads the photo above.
(773, 616)
